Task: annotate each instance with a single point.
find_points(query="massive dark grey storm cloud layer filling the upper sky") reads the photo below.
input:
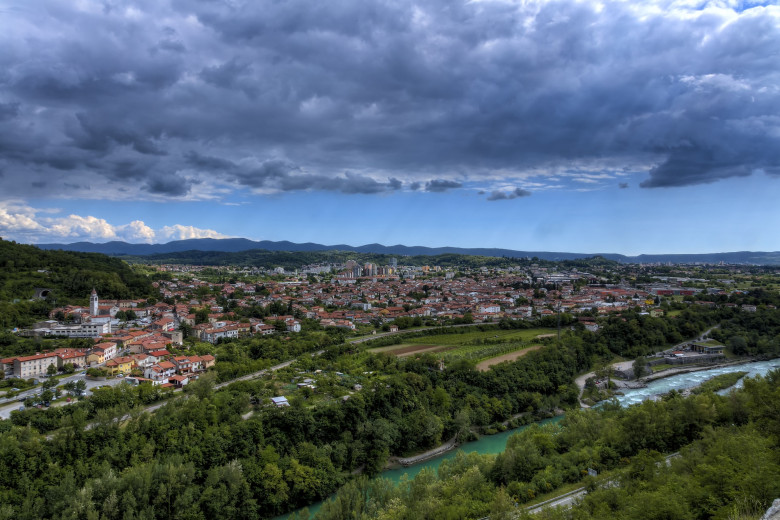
(133, 95)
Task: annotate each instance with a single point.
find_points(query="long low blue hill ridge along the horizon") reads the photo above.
(235, 245)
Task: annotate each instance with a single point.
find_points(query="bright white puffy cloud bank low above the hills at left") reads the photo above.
(21, 222)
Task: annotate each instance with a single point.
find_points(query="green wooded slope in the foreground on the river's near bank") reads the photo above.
(728, 466)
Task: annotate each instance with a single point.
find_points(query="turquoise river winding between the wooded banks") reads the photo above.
(497, 443)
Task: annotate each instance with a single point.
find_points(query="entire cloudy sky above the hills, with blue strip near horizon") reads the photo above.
(581, 126)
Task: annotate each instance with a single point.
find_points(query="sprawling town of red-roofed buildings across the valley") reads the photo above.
(132, 337)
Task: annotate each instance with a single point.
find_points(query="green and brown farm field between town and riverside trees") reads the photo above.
(477, 346)
